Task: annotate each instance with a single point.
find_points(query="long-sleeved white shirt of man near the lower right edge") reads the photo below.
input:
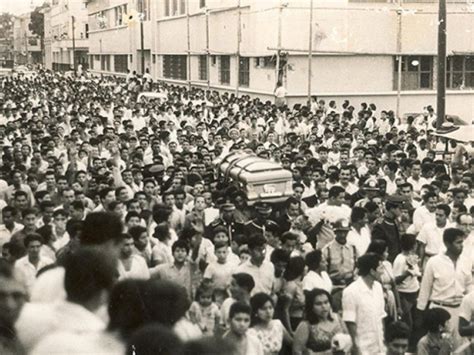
(443, 281)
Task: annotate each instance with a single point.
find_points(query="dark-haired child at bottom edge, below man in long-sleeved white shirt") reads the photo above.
(437, 341)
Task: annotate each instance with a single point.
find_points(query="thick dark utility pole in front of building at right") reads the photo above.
(441, 92)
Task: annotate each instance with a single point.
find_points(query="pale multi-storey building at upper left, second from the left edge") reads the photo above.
(66, 34)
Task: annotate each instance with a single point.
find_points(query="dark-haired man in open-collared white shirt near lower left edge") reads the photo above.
(29, 265)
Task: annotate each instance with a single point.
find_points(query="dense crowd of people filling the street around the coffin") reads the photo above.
(119, 235)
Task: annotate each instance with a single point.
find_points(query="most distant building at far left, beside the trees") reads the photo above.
(26, 45)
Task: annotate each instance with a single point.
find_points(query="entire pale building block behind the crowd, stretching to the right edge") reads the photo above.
(374, 51)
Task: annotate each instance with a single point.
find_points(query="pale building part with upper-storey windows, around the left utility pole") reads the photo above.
(118, 31)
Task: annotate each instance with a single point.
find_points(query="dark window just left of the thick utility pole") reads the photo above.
(417, 72)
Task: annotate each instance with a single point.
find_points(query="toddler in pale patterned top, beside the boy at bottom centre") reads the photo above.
(204, 312)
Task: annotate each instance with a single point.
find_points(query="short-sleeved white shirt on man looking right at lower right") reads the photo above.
(365, 307)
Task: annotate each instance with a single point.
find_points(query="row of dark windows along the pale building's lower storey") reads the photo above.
(417, 72)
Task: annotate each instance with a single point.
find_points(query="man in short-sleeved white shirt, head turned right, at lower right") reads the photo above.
(363, 307)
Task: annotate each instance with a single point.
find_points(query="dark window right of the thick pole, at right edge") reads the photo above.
(460, 72)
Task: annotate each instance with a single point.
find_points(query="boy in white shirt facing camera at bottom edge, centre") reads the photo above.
(245, 344)
